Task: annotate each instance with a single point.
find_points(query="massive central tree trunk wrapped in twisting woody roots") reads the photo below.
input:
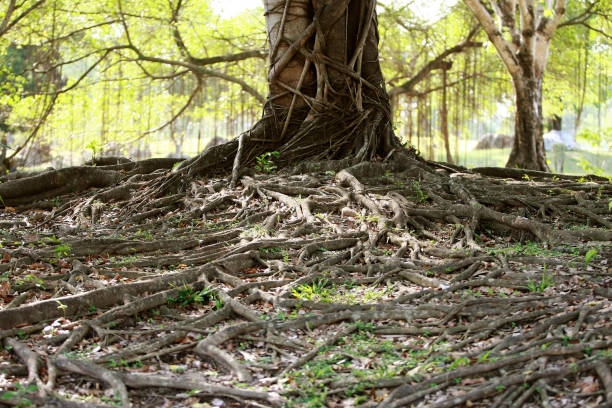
(327, 96)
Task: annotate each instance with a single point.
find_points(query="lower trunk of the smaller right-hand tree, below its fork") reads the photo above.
(528, 149)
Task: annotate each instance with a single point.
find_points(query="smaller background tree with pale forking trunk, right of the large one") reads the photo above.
(522, 43)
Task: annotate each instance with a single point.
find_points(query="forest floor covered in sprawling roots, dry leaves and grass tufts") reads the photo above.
(323, 285)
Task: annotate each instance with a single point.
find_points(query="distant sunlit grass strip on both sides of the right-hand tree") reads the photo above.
(498, 157)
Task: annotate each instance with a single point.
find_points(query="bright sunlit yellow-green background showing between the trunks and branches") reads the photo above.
(119, 110)
